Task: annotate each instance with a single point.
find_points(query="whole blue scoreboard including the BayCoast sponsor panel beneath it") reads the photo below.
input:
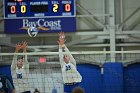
(50, 15)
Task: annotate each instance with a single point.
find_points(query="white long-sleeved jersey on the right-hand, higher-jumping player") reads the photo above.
(69, 71)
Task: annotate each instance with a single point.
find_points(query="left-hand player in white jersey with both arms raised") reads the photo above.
(20, 70)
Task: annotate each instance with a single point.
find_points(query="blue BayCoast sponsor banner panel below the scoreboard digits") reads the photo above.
(41, 25)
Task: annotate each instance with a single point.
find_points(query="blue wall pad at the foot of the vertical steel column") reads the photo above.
(113, 78)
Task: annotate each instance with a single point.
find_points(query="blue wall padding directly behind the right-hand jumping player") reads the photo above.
(91, 81)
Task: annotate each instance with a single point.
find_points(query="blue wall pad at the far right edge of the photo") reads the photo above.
(132, 79)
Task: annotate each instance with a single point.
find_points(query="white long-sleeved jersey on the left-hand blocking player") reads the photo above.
(20, 76)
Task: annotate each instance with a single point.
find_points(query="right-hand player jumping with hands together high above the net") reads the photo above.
(68, 63)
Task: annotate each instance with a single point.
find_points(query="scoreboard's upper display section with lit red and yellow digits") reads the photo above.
(38, 8)
